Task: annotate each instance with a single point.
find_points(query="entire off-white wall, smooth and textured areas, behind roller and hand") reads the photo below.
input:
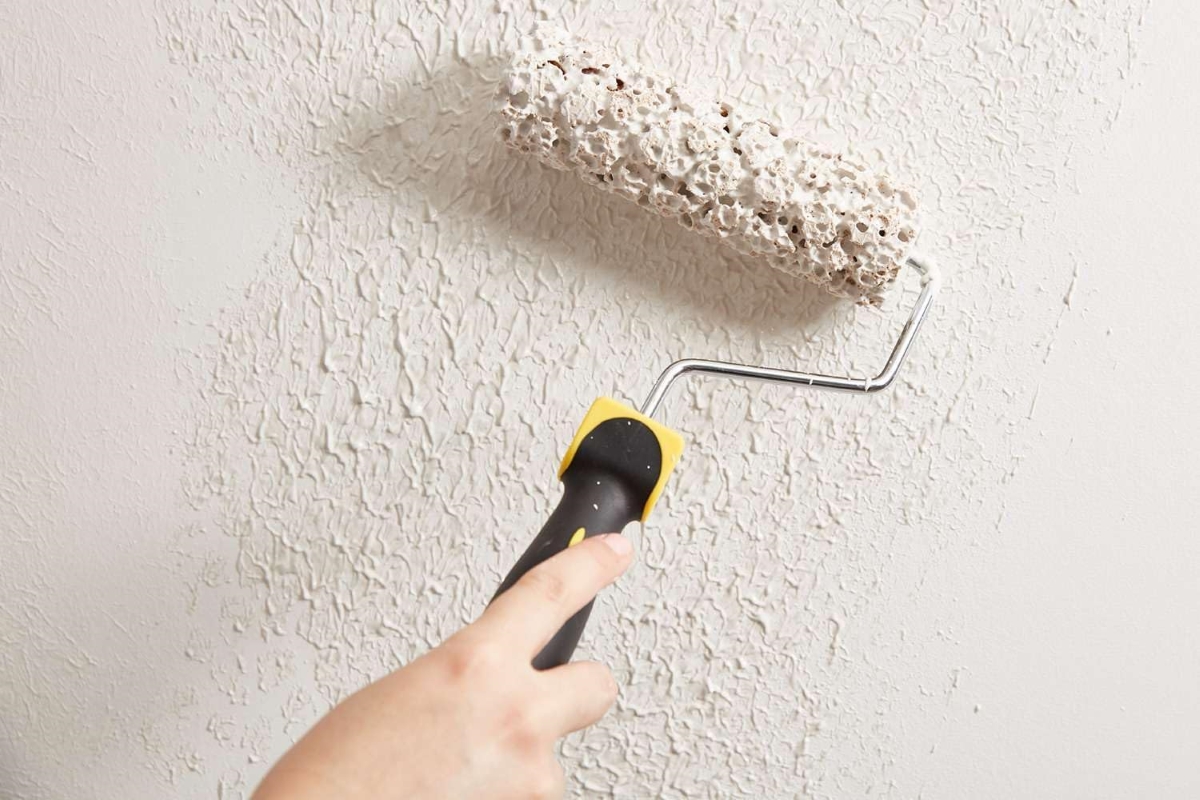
(292, 345)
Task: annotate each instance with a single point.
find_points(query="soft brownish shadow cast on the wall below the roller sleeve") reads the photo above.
(439, 135)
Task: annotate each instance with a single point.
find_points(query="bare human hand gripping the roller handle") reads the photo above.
(471, 719)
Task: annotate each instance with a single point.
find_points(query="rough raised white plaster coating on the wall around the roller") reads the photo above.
(382, 416)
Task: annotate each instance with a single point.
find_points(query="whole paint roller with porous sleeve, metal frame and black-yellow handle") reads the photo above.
(727, 175)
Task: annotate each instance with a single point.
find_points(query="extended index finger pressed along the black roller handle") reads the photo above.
(547, 597)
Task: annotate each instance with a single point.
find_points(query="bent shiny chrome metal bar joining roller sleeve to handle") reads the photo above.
(931, 282)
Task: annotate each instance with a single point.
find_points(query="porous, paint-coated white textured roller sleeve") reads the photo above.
(715, 169)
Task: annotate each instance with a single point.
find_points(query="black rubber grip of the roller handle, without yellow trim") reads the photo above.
(605, 488)
